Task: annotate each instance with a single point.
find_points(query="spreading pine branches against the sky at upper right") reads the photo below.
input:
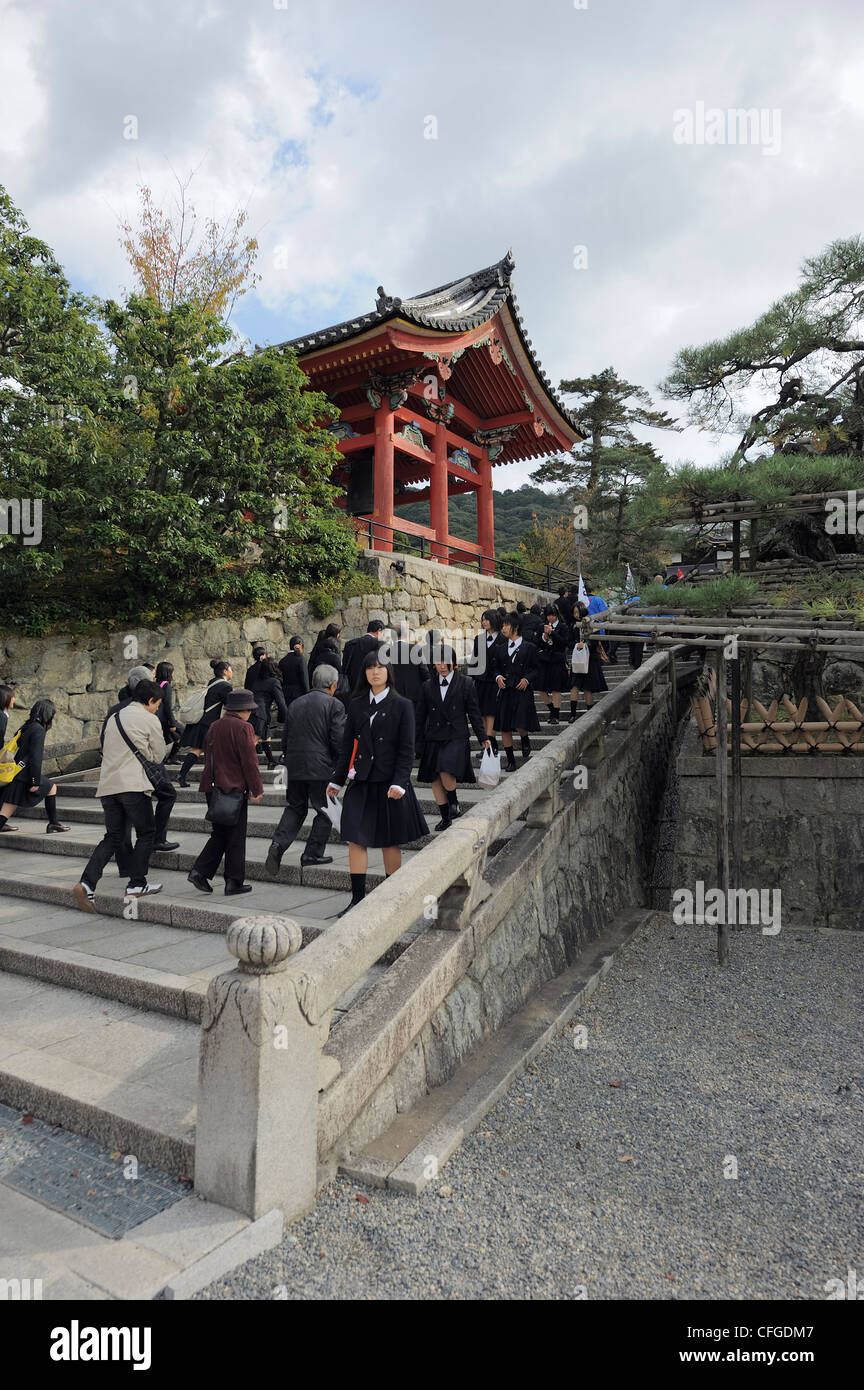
(805, 354)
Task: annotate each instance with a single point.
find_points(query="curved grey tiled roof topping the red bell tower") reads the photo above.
(456, 308)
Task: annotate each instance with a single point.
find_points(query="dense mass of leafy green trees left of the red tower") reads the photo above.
(170, 477)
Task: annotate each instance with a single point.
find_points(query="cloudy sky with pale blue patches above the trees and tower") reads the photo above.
(556, 130)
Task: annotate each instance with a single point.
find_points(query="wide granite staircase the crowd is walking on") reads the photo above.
(99, 1015)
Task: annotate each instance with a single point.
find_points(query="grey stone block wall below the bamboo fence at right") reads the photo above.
(804, 833)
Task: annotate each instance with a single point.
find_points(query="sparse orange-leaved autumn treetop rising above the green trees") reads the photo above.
(177, 262)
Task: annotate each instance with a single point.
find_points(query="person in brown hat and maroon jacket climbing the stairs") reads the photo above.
(230, 765)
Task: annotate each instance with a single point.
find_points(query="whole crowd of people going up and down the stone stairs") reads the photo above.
(354, 718)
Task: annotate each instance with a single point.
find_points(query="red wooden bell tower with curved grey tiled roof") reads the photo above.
(435, 391)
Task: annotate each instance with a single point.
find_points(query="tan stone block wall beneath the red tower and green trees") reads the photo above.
(84, 673)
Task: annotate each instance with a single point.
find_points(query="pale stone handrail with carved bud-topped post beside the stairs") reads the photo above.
(266, 1025)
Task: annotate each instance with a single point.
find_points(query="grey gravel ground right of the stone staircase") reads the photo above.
(601, 1175)
